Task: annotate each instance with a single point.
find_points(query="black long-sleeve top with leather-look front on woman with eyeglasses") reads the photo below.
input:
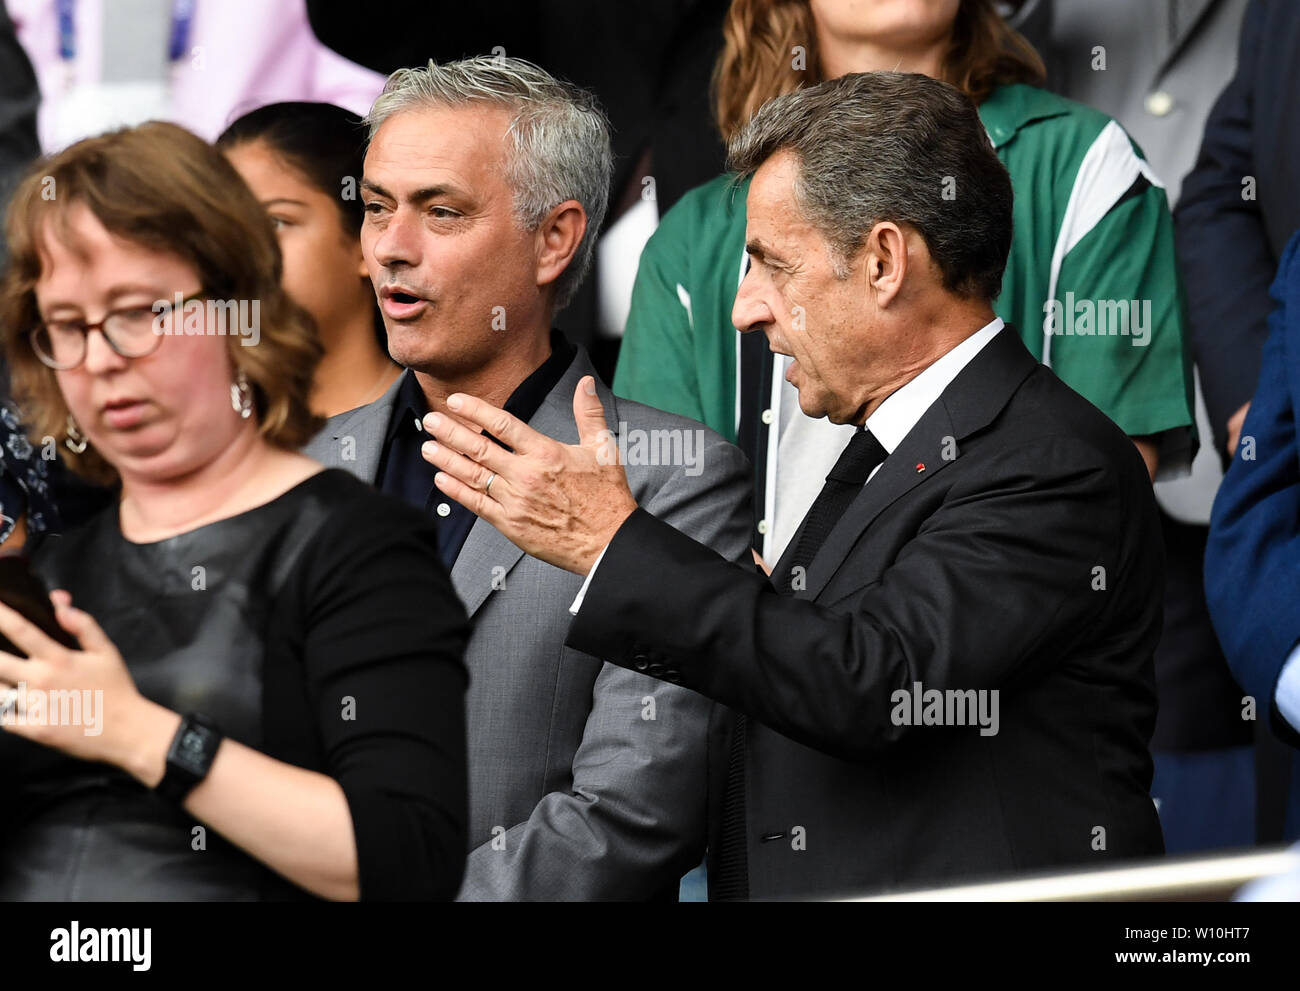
(319, 629)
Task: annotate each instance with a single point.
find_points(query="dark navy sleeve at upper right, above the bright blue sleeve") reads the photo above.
(1228, 289)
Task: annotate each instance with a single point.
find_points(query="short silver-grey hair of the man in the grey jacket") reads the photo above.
(558, 139)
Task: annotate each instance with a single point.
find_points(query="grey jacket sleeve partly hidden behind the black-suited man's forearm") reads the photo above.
(636, 817)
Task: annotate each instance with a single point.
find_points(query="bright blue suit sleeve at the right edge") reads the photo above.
(1253, 560)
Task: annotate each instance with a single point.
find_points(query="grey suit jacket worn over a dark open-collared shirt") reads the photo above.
(586, 781)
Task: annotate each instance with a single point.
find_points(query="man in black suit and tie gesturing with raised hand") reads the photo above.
(950, 673)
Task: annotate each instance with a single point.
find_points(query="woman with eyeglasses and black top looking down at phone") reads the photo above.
(252, 685)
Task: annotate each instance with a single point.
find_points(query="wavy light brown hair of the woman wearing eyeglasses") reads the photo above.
(161, 187)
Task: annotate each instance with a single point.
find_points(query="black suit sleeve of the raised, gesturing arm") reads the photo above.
(1022, 543)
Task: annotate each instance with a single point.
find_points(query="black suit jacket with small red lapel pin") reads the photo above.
(1009, 543)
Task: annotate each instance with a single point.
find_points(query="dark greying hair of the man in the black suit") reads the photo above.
(892, 148)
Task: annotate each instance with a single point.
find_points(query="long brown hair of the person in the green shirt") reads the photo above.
(761, 36)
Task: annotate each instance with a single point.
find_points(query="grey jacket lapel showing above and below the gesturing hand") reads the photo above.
(487, 556)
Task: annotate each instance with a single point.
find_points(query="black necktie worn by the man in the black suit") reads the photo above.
(846, 481)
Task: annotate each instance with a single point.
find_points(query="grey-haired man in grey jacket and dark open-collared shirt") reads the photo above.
(486, 185)
